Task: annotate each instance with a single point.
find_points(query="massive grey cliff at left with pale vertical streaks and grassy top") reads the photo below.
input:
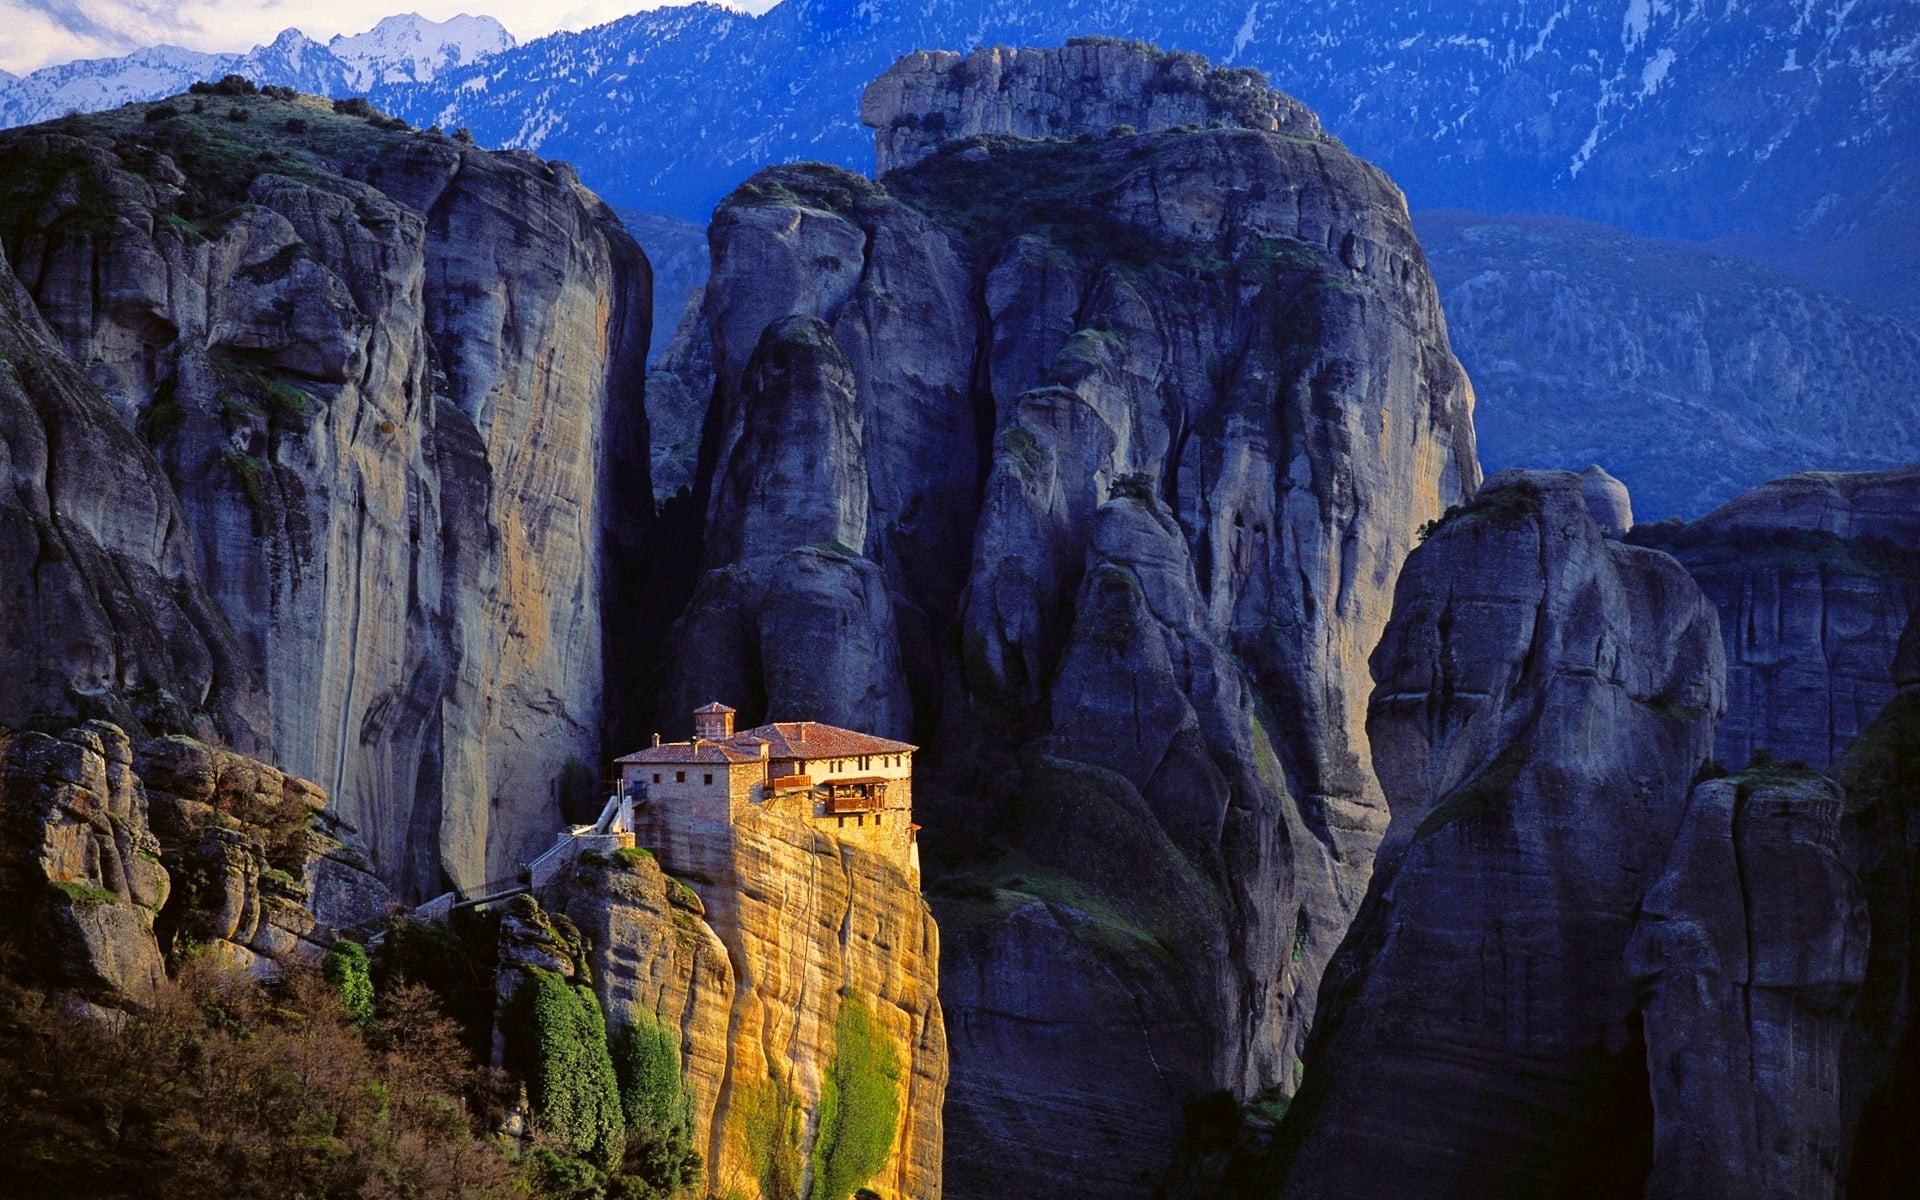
(383, 373)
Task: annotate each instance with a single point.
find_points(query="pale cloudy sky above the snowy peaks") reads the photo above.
(36, 34)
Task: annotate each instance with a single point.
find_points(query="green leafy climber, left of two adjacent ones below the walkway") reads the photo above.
(558, 1042)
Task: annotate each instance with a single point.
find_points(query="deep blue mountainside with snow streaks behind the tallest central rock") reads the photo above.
(1664, 116)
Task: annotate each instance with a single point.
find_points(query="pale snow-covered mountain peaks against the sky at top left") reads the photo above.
(406, 49)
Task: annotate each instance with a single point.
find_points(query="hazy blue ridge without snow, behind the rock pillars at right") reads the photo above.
(1691, 375)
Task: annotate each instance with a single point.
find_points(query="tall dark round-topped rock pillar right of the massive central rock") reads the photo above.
(1545, 698)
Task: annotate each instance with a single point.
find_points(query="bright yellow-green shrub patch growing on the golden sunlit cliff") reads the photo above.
(859, 1105)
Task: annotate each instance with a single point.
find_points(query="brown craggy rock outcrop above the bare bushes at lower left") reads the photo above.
(118, 861)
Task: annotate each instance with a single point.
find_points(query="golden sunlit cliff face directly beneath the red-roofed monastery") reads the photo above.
(750, 951)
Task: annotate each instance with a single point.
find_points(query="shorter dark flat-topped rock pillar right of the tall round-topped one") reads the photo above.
(1752, 953)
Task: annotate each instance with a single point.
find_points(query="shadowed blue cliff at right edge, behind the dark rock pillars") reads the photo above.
(1815, 577)
